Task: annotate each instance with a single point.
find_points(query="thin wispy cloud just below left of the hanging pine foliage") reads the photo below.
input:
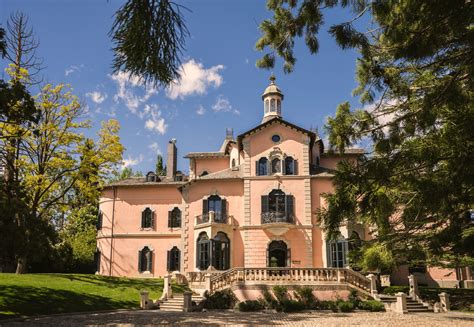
(127, 90)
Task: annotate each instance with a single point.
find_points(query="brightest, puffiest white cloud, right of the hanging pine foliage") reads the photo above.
(195, 79)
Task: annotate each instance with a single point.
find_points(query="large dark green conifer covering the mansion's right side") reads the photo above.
(415, 80)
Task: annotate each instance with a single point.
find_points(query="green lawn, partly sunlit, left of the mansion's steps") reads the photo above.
(38, 294)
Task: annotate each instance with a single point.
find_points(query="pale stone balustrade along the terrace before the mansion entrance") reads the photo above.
(290, 275)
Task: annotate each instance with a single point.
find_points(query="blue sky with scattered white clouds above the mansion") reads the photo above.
(221, 87)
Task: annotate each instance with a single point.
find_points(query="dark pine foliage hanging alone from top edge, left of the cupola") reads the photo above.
(149, 37)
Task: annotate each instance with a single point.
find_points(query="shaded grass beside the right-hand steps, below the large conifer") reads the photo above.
(460, 298)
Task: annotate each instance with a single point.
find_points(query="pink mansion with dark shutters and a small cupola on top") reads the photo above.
(251, 204)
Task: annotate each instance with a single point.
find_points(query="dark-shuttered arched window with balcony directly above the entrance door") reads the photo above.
(277, 207)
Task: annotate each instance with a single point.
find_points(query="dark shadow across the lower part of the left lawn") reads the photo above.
(29, 301)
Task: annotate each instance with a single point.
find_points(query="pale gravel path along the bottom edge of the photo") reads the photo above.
(217, 318)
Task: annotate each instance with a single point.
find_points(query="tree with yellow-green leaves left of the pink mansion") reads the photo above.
(51, 169)
